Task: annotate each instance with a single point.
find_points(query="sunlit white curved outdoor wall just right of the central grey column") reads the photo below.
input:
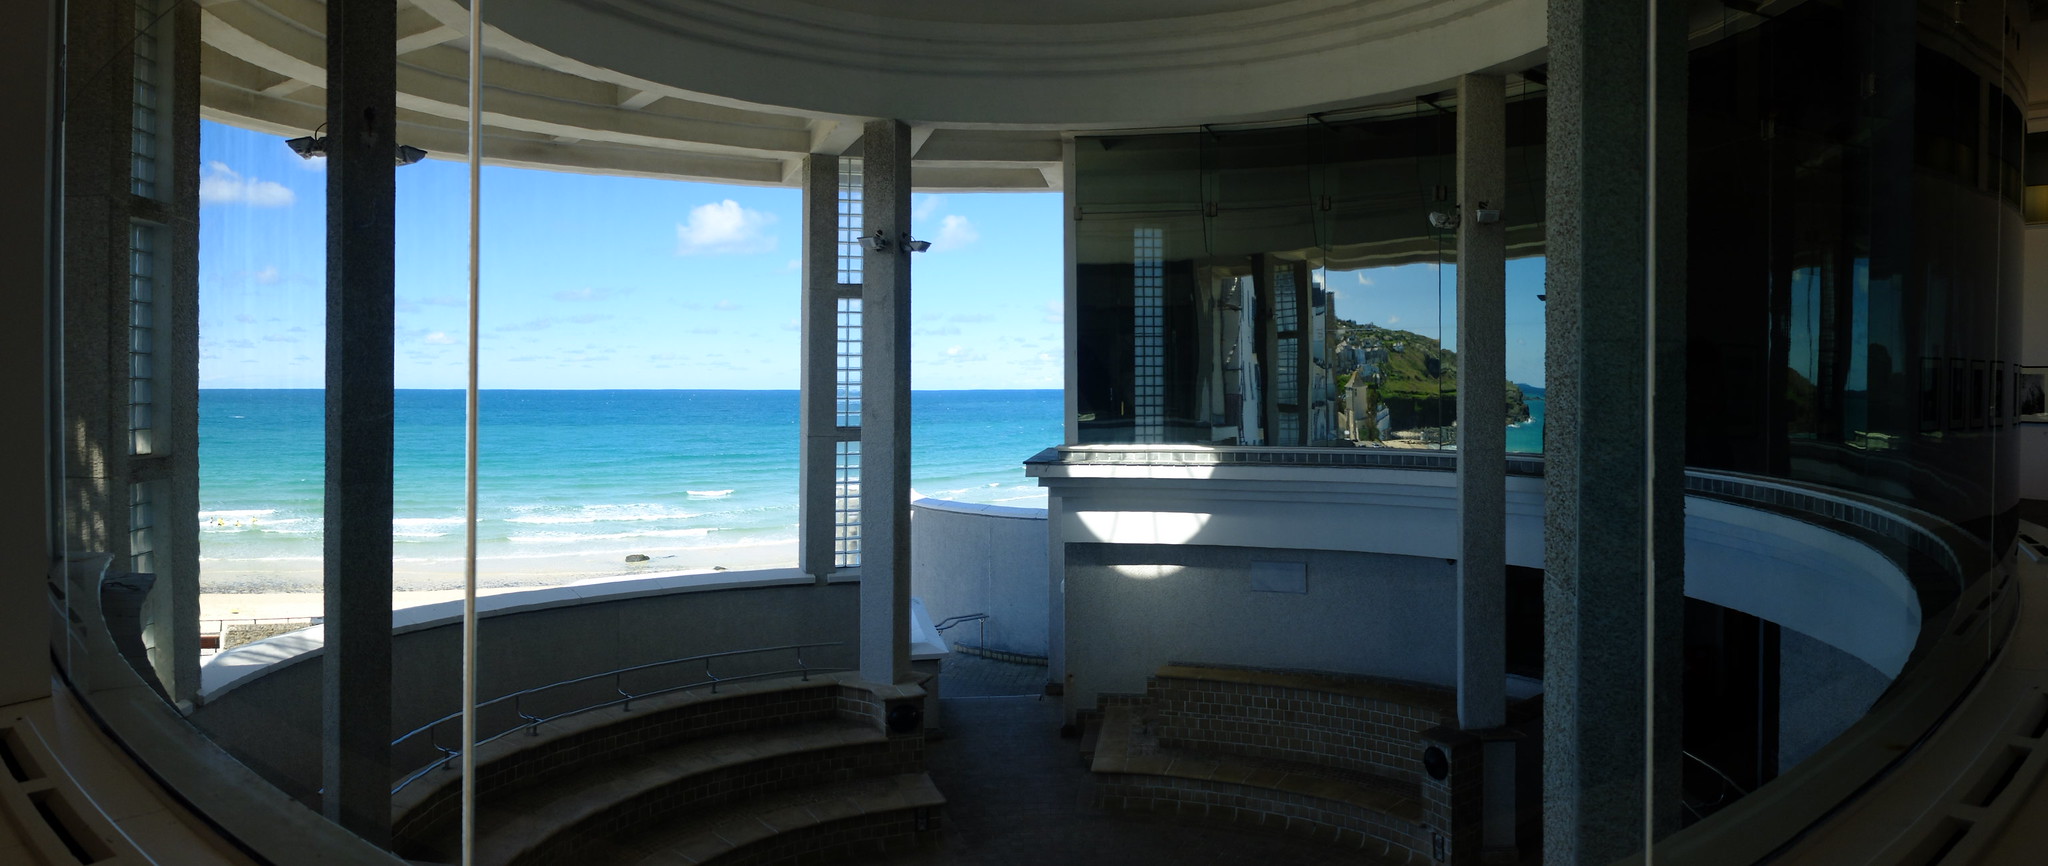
(982, 560)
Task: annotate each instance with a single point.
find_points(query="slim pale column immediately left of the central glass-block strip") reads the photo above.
(818, 415)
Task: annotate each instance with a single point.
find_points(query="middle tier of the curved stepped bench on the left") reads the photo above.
(601, 799)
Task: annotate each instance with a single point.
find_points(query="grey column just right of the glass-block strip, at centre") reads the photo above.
(886, 406)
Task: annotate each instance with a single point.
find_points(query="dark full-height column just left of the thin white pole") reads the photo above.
(361, 202)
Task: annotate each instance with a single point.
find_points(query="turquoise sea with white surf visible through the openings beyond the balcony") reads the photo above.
(572, 482)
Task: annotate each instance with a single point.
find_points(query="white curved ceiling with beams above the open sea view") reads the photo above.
(740, 91)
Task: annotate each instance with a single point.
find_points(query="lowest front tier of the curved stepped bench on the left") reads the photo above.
(816, 824)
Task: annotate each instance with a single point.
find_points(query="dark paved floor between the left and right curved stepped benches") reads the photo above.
(1017, 793)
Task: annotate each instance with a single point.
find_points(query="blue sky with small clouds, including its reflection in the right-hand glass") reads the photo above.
(634, 284)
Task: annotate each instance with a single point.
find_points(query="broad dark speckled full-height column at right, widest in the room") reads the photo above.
(1617, 429)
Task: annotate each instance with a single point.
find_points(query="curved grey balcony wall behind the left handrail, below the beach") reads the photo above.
(263, 701)
